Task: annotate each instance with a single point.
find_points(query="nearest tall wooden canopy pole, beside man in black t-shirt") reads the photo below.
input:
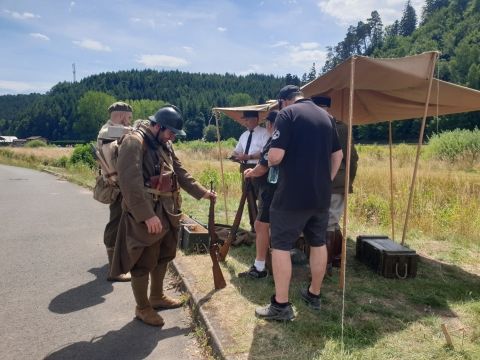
(347, 174)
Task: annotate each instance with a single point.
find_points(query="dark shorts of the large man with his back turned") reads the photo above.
(286, 227)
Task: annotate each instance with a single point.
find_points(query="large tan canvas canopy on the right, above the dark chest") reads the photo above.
(390, 89)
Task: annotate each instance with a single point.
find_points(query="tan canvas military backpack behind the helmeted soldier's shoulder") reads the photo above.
(106, 188)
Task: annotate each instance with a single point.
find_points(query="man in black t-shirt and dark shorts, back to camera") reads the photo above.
(305, 146)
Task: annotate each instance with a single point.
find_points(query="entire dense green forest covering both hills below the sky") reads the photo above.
(76, 110)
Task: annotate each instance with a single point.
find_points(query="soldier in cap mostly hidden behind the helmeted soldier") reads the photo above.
(120, 118)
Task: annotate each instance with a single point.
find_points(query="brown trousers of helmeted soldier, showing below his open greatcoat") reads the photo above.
(161, 252)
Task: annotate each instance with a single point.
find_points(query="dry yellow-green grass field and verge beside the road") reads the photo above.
(383, 318)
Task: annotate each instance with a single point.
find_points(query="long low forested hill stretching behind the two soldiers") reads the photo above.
(61, 114)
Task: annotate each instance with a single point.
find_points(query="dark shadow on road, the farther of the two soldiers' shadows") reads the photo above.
(83, 296)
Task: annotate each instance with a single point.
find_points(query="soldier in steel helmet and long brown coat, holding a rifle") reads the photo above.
(150, 176)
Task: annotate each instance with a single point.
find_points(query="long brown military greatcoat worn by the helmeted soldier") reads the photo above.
(139, 158)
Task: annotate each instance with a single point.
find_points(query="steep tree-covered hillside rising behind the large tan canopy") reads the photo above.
(449, 26)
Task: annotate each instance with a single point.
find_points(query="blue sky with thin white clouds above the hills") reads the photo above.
(40, 40)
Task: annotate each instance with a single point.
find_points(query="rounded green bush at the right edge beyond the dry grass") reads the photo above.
(456, 145)
